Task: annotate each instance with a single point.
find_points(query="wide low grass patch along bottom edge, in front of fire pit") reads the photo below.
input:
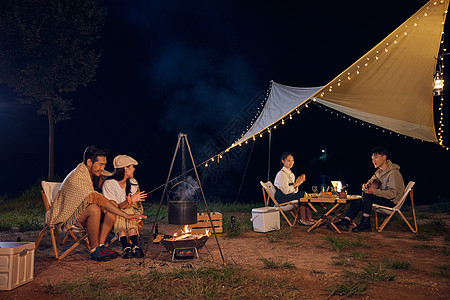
(225, 282)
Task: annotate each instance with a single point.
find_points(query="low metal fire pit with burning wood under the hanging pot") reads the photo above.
(186, 245)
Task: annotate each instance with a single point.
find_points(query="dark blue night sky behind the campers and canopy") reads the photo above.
(203, 68)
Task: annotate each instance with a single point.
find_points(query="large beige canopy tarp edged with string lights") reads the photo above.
(391, 86)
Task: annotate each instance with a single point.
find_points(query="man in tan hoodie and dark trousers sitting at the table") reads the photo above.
(386, 187)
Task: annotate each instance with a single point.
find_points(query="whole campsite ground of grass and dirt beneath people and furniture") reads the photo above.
(289, 263)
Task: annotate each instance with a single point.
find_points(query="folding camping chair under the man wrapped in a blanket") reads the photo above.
(49, 191)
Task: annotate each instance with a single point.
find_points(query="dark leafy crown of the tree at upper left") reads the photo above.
(46, 49)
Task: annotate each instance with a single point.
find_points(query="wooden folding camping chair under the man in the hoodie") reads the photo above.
(390, 211)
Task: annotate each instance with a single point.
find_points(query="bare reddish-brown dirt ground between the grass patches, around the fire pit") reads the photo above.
(315, 269)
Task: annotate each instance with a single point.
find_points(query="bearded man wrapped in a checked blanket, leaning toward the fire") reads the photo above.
(78, 203)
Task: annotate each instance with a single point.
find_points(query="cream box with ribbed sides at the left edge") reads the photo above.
(16, 264)
